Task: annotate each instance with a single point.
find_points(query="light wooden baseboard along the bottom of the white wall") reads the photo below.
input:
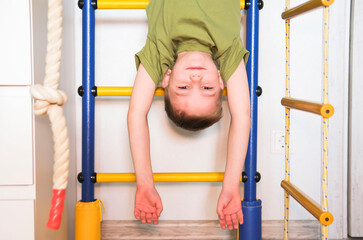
(201, 230)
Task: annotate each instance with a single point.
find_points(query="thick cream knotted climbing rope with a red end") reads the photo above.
(49, 100)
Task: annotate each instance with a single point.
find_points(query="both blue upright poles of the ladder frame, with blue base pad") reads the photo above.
(251, 229)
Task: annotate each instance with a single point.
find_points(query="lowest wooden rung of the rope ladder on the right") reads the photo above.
(325, 218)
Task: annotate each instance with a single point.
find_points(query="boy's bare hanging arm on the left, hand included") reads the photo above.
(147, 201)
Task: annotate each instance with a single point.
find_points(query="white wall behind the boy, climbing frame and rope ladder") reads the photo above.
(121, 33)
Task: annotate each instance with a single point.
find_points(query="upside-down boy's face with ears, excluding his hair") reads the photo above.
(194, 84)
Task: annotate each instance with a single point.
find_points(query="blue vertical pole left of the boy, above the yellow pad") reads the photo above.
(88, 100)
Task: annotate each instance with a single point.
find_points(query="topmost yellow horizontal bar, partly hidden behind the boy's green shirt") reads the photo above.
(135, 4)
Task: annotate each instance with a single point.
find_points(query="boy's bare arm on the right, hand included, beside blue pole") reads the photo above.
(229, 203)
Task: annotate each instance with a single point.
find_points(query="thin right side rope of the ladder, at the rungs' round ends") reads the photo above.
(324, 195)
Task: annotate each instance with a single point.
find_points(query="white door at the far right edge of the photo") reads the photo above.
(356, 124)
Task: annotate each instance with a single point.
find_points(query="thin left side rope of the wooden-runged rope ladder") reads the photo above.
(287, 126)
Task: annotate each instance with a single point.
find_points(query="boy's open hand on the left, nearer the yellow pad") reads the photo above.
(148, 205)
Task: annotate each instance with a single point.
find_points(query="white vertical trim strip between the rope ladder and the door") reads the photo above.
(338, 133)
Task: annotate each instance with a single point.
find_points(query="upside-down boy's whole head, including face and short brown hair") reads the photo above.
(193, 91)
